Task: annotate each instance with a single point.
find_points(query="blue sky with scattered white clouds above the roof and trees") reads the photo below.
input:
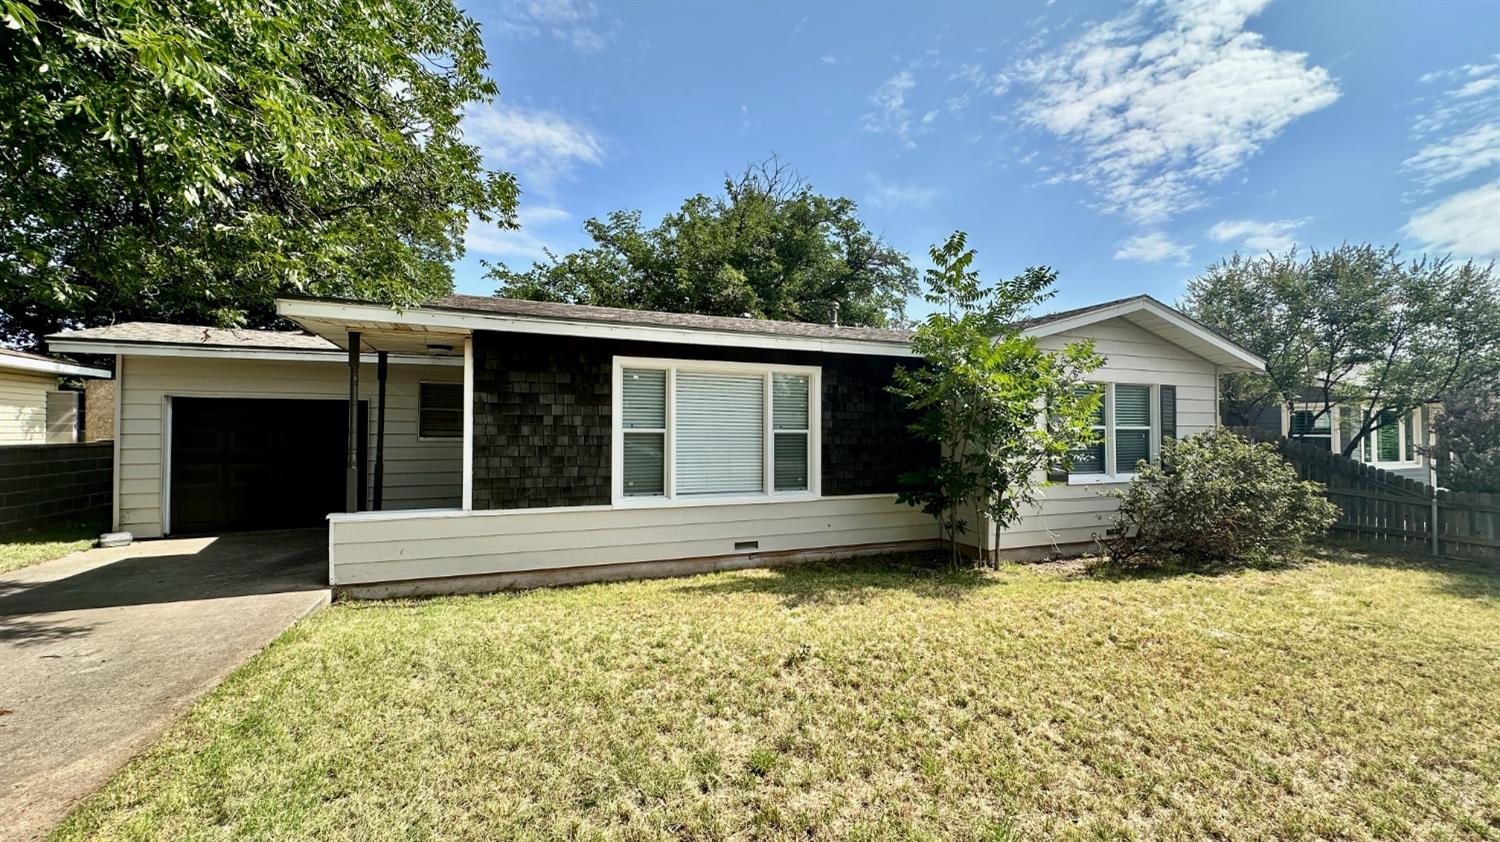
(1126, 145)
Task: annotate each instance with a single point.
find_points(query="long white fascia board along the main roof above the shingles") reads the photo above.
(299, 310)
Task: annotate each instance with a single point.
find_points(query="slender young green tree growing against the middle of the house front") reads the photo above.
(1001, 409)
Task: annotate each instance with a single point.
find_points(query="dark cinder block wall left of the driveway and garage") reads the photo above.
(49, 484)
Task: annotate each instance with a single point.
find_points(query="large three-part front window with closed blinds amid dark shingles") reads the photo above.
(701, 430)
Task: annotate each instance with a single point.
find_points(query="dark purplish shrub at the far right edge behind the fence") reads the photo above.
(1469, 439)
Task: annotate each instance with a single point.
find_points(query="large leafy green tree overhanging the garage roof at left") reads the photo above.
(193, 161)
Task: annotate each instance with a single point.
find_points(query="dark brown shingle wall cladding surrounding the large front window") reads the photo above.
(542, 418)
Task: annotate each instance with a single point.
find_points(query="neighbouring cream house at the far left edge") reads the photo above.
(34, 410)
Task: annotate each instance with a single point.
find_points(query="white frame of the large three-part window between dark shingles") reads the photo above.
(670, 498)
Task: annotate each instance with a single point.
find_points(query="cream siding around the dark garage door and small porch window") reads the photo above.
(419, 475)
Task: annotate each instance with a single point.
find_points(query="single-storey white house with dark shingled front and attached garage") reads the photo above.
(502, 444)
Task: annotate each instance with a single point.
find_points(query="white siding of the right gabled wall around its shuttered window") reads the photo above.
(1078, 513)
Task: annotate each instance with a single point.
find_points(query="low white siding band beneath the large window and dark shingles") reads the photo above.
(394, 547)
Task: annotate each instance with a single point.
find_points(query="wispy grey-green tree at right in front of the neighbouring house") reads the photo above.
(1354, 326)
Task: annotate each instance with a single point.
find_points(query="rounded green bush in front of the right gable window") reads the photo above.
(1217, 499)
